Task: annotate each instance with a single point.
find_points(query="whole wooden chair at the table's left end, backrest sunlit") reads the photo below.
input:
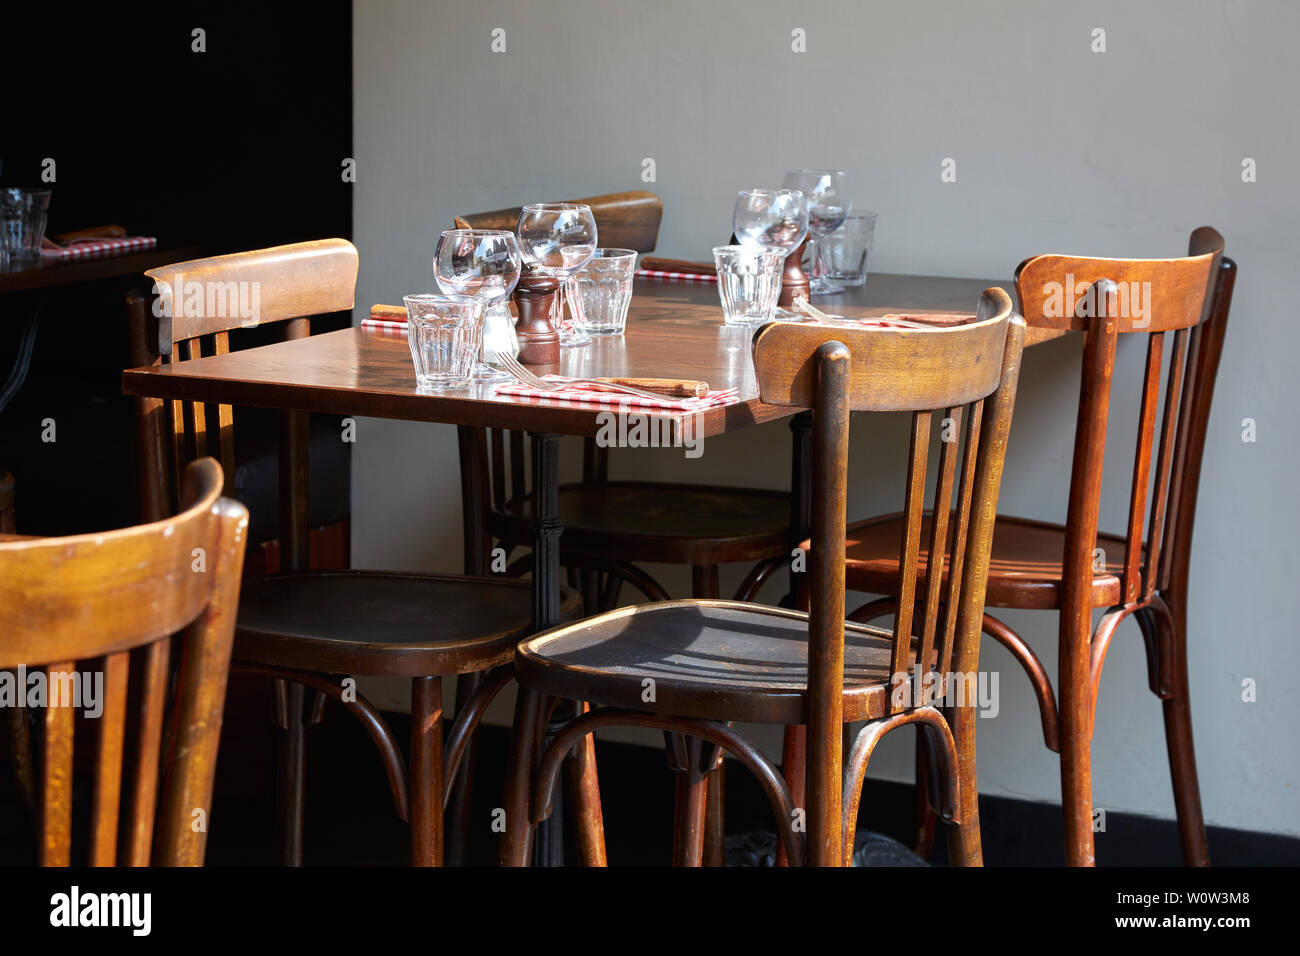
(315, 631)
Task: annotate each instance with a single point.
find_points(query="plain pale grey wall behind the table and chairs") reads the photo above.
(1058, 149)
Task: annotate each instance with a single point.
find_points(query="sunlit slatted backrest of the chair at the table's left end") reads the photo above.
(190, 315)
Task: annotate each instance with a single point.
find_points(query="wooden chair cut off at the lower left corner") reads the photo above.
(103, 600)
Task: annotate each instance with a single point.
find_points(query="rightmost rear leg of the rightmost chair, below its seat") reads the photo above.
(1178, 739)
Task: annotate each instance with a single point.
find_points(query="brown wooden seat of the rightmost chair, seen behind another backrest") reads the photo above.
(1025, 570)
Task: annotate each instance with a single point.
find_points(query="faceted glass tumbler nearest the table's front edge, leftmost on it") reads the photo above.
(445, 334)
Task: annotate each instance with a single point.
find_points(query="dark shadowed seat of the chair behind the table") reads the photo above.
(660, 522)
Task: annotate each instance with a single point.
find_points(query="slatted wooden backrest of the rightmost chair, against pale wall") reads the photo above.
(1188, 297)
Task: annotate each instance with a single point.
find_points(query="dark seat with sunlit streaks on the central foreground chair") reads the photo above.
(712, 660)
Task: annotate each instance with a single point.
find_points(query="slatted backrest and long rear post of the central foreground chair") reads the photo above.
(969, 377)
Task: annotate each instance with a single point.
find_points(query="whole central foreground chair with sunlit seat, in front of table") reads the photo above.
(690, 668)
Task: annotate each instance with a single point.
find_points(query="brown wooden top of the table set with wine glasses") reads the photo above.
(674, 332)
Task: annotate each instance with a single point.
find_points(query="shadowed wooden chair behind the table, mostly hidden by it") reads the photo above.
(613, 529)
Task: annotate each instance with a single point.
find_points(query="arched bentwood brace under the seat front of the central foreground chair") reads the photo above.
(540, 801)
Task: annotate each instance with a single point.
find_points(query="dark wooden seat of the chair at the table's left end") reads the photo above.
(384, 624)
